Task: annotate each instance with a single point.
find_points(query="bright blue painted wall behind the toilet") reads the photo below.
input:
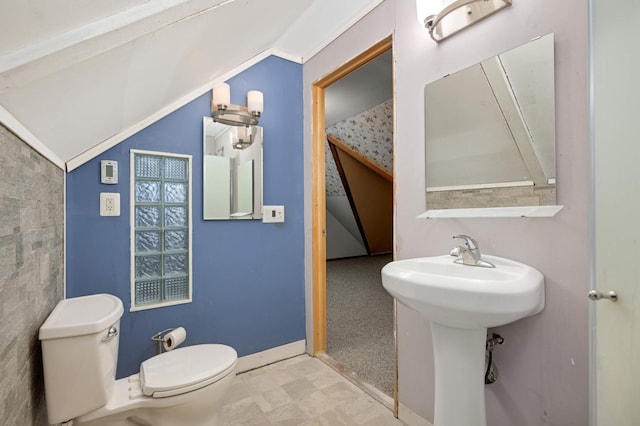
(248, 277)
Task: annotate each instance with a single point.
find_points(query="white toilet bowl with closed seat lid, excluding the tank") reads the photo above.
(181, 387)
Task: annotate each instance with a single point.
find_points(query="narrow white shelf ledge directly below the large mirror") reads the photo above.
(522, 211)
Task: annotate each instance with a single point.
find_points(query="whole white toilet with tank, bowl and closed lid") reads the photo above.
(80, 354)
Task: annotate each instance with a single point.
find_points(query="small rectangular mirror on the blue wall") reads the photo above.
(232, 171)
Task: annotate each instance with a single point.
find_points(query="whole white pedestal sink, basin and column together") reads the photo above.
(461, 302)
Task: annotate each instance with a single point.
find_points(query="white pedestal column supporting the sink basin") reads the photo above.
(459, 355)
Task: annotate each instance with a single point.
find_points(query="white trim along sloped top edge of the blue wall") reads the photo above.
(114, 140)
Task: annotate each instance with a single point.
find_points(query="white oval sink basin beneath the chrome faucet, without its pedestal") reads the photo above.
(466, 296)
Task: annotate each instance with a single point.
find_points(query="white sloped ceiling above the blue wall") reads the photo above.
(77, 73)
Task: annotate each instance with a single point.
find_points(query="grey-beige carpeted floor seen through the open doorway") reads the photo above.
(360, 319)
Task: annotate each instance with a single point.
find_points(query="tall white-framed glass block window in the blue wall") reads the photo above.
(160, 229)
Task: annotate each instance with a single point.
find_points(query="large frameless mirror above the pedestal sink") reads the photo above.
(490, 132)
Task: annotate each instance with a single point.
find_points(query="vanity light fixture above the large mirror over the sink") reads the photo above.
(443, 18)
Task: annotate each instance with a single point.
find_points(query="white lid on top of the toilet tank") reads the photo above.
(82, 315)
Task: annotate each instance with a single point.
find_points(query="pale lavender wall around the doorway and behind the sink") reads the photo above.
(544, 361)
